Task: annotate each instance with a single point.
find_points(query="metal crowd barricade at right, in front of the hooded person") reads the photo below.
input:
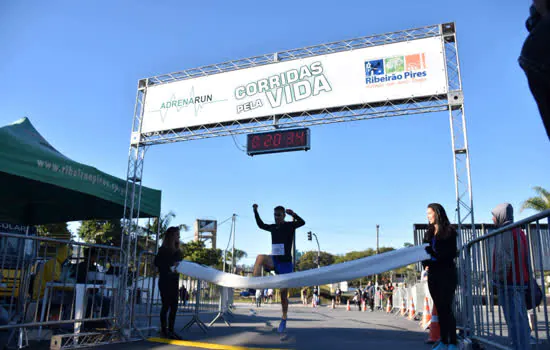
(503, 272)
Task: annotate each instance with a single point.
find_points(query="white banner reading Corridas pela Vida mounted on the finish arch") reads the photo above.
(388, 72)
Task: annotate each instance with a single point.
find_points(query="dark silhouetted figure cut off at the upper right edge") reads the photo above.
(535, 57)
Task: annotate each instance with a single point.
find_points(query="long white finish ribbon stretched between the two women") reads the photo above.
(345, 271)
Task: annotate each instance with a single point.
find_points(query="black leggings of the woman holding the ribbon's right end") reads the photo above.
(442, 285)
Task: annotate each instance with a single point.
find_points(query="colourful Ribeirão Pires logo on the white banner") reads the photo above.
(397, 68)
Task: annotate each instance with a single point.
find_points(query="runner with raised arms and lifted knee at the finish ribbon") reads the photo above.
(280, 260)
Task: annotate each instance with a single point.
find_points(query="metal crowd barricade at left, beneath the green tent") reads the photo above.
(56, 285)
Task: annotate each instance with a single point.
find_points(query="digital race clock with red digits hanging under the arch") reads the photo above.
(284, 140)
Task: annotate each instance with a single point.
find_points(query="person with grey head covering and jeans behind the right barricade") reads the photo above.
(511, 274)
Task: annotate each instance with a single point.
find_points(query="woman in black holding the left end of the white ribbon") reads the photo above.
(168, 256)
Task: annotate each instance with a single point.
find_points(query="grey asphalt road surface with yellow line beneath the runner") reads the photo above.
(308, 328)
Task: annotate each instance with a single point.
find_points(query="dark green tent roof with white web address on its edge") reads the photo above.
(39, 185)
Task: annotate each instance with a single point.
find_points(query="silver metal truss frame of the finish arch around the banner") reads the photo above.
(452, 101)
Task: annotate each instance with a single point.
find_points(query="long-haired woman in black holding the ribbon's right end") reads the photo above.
(442, 274)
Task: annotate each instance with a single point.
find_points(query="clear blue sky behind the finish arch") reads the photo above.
(72, 68)
